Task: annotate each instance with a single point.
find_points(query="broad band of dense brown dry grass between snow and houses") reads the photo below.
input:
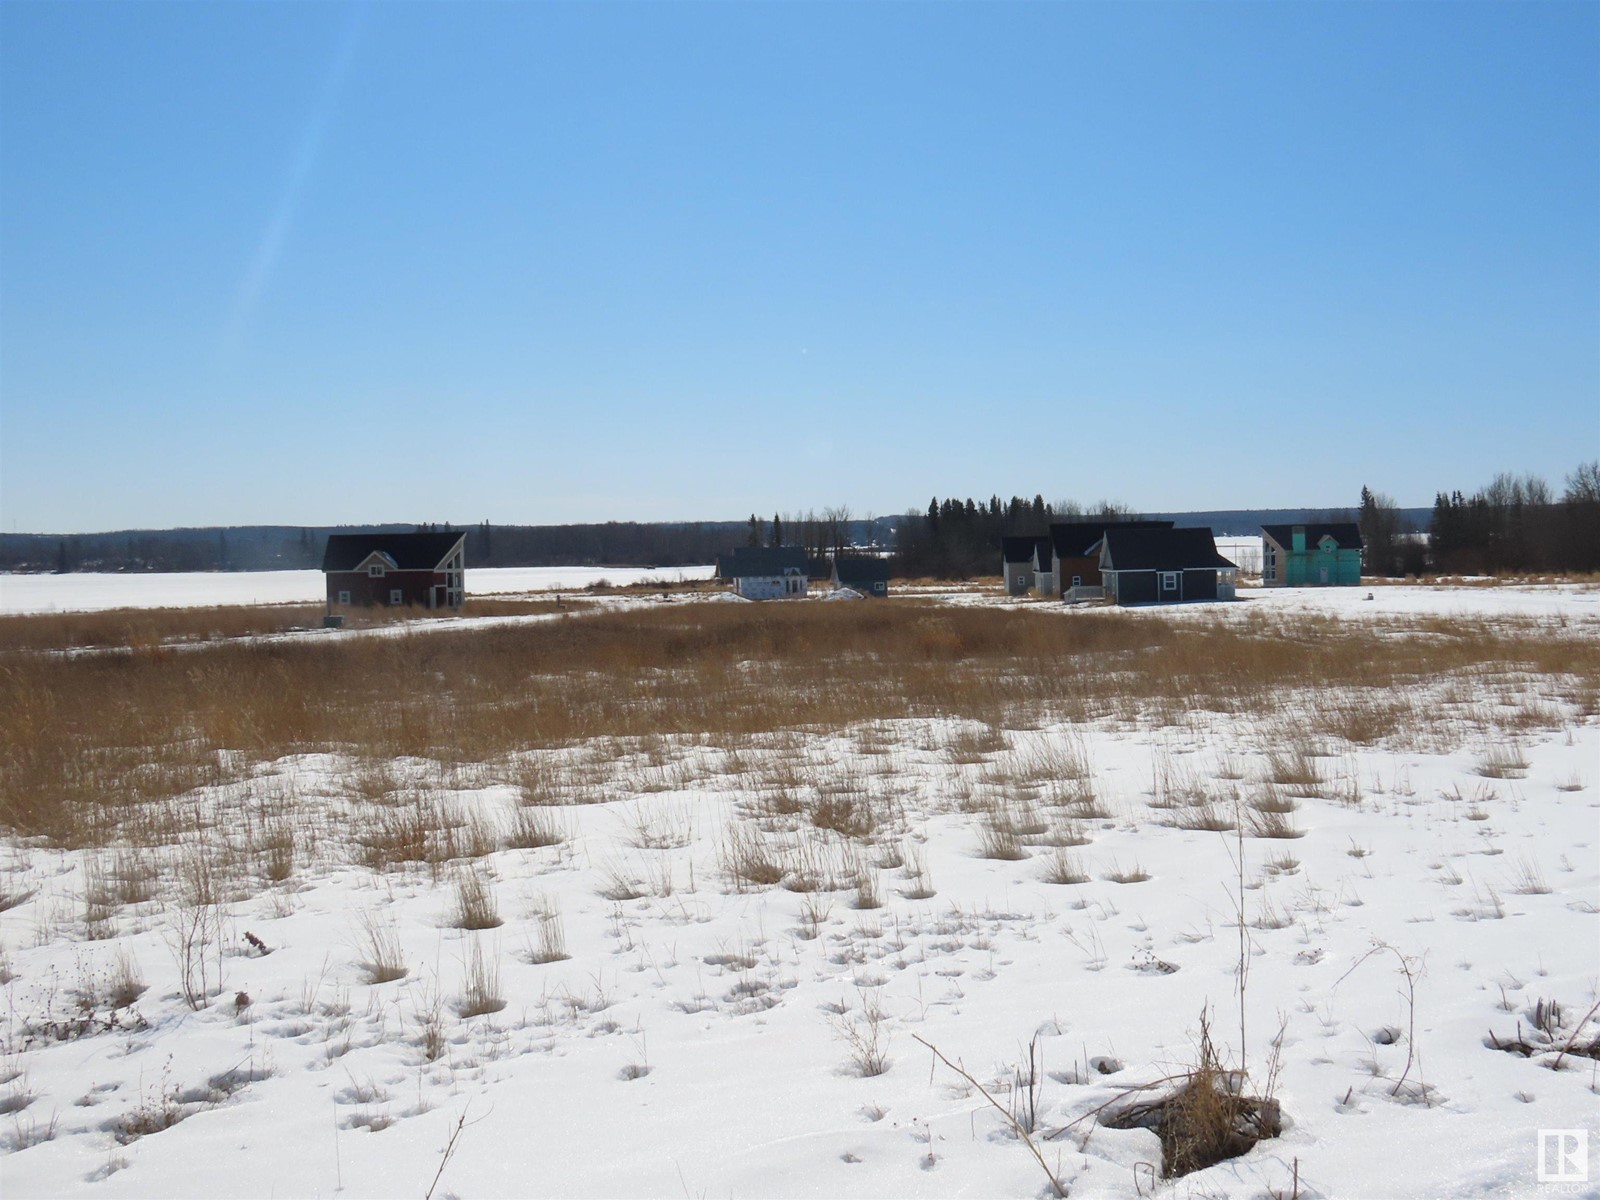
(95, 746)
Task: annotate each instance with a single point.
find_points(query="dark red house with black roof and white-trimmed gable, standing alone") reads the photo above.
(426, 570)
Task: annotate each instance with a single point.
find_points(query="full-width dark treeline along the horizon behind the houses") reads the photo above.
(1516, 524)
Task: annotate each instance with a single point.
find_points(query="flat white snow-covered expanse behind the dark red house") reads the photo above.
(82, 593)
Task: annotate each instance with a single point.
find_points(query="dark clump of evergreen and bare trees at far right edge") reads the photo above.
(1518, 524)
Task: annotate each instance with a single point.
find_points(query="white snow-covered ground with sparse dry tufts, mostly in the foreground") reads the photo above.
(716, 975)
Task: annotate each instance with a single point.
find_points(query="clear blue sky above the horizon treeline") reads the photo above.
(316, 263)
